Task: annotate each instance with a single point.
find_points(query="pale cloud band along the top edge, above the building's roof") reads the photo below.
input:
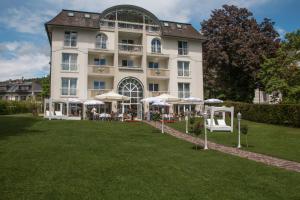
(173, 10)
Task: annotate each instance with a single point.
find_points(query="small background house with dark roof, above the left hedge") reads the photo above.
(20, 90)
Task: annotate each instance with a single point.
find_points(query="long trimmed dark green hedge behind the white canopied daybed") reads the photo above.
(281, 114)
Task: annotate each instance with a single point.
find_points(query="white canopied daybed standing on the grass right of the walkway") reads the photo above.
(221, 123)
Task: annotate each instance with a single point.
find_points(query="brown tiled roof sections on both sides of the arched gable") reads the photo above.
(79, 20)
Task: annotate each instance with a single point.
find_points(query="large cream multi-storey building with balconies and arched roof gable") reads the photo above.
(126, 49)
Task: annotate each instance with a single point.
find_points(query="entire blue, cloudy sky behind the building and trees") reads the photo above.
(25, 50)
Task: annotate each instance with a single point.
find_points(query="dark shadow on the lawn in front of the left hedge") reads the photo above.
(17, 125)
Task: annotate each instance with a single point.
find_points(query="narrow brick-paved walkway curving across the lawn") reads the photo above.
(269, 160)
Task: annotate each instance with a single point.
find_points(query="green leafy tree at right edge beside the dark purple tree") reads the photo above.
(281, 73)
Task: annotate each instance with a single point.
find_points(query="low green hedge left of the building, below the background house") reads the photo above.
(16, 107)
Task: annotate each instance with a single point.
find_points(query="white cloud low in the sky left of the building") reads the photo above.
(25, 60)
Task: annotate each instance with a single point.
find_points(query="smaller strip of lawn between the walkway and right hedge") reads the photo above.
(279, 141)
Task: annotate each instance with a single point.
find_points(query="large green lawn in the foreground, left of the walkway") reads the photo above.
(42, 159)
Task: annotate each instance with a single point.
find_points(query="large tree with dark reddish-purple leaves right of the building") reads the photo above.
(233, 52)
